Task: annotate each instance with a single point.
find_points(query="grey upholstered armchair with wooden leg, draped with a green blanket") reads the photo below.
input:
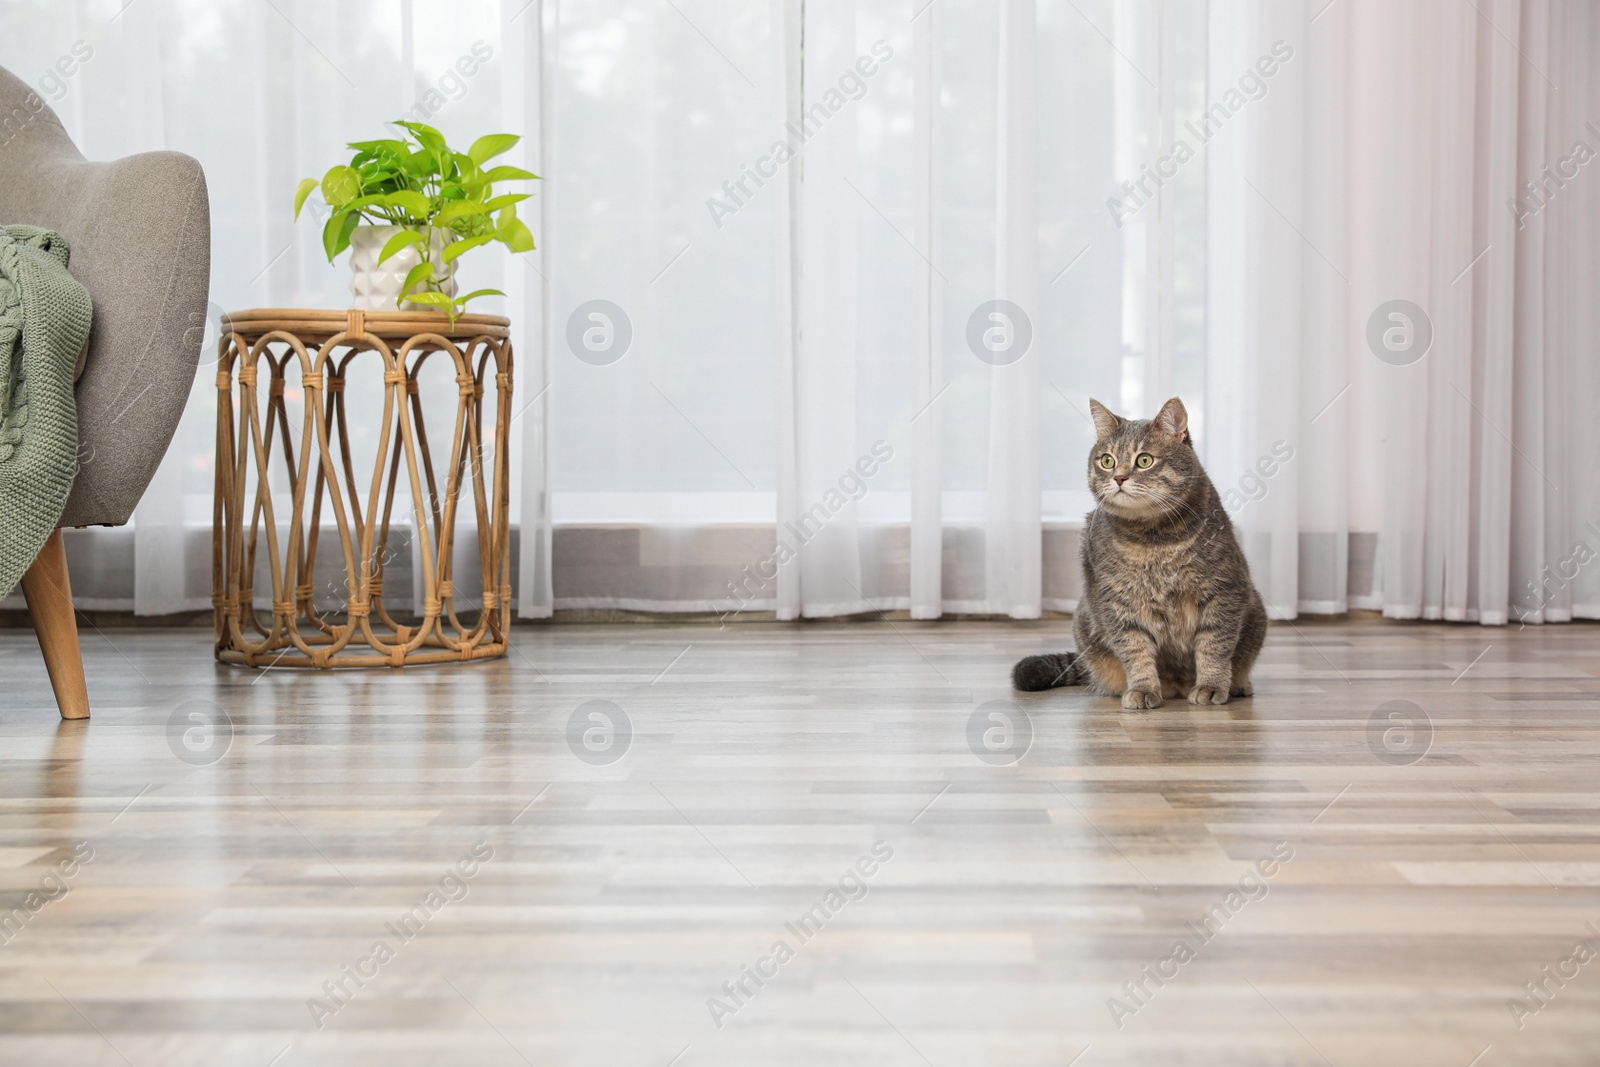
(140, 231)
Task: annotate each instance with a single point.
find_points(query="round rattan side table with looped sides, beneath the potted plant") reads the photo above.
(257, 353)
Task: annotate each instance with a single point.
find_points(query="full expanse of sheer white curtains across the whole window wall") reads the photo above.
(823, 290)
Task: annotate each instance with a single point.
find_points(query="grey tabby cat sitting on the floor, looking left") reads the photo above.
(1167, 607)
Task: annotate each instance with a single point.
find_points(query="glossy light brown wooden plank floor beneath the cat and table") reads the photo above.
(202, 898)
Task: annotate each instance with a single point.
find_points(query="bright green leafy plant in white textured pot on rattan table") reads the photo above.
(410, 207)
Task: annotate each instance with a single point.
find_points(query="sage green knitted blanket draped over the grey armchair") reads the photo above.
(44, 324)
